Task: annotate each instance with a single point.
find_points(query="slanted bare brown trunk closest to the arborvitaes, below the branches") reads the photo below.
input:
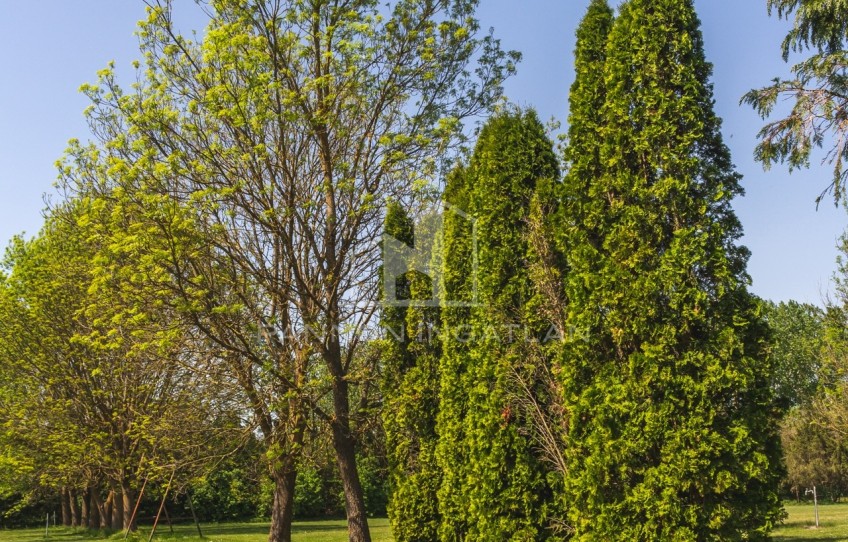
(345, 447)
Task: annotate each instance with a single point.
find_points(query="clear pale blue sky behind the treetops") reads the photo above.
(49, 47)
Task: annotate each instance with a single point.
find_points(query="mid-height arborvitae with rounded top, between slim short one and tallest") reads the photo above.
(495, 487)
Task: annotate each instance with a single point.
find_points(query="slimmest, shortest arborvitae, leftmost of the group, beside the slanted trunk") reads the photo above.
(411, 388)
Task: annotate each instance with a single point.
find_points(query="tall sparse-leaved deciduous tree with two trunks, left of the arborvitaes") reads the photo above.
(271, 145)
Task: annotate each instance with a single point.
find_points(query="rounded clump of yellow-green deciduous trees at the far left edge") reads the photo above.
(94, 396)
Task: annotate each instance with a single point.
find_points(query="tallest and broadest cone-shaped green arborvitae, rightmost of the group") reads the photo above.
(672, 427)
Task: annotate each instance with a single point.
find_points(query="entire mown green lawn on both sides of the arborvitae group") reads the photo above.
(800, 526)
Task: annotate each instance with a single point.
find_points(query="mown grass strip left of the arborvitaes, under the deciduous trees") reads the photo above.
(303, 531)
